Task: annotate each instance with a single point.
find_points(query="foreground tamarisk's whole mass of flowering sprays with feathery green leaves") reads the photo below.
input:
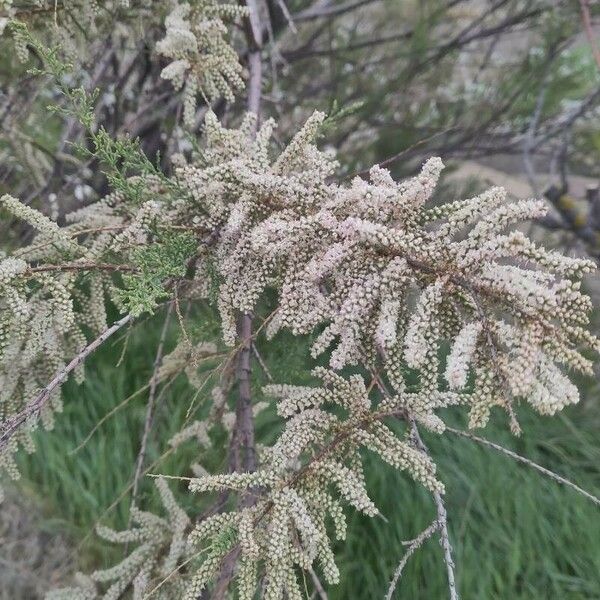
(383, 276)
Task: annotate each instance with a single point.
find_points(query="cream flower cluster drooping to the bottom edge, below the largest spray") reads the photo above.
(286, 528)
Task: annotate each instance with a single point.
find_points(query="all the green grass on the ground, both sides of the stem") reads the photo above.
(516, 534)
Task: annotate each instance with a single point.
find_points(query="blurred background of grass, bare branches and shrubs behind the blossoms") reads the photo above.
(507, 92)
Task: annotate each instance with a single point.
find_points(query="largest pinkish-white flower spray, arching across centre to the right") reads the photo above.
(388, 276)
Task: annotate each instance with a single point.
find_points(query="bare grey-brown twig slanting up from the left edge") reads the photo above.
(10, 426)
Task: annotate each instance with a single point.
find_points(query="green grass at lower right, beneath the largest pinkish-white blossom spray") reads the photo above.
(516, 534)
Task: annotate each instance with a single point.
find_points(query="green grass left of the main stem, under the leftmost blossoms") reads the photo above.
(82, 472)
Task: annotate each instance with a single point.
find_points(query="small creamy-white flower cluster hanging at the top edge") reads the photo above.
(202, 59)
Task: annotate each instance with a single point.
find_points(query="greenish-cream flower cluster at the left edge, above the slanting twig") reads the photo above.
(45, 315)
